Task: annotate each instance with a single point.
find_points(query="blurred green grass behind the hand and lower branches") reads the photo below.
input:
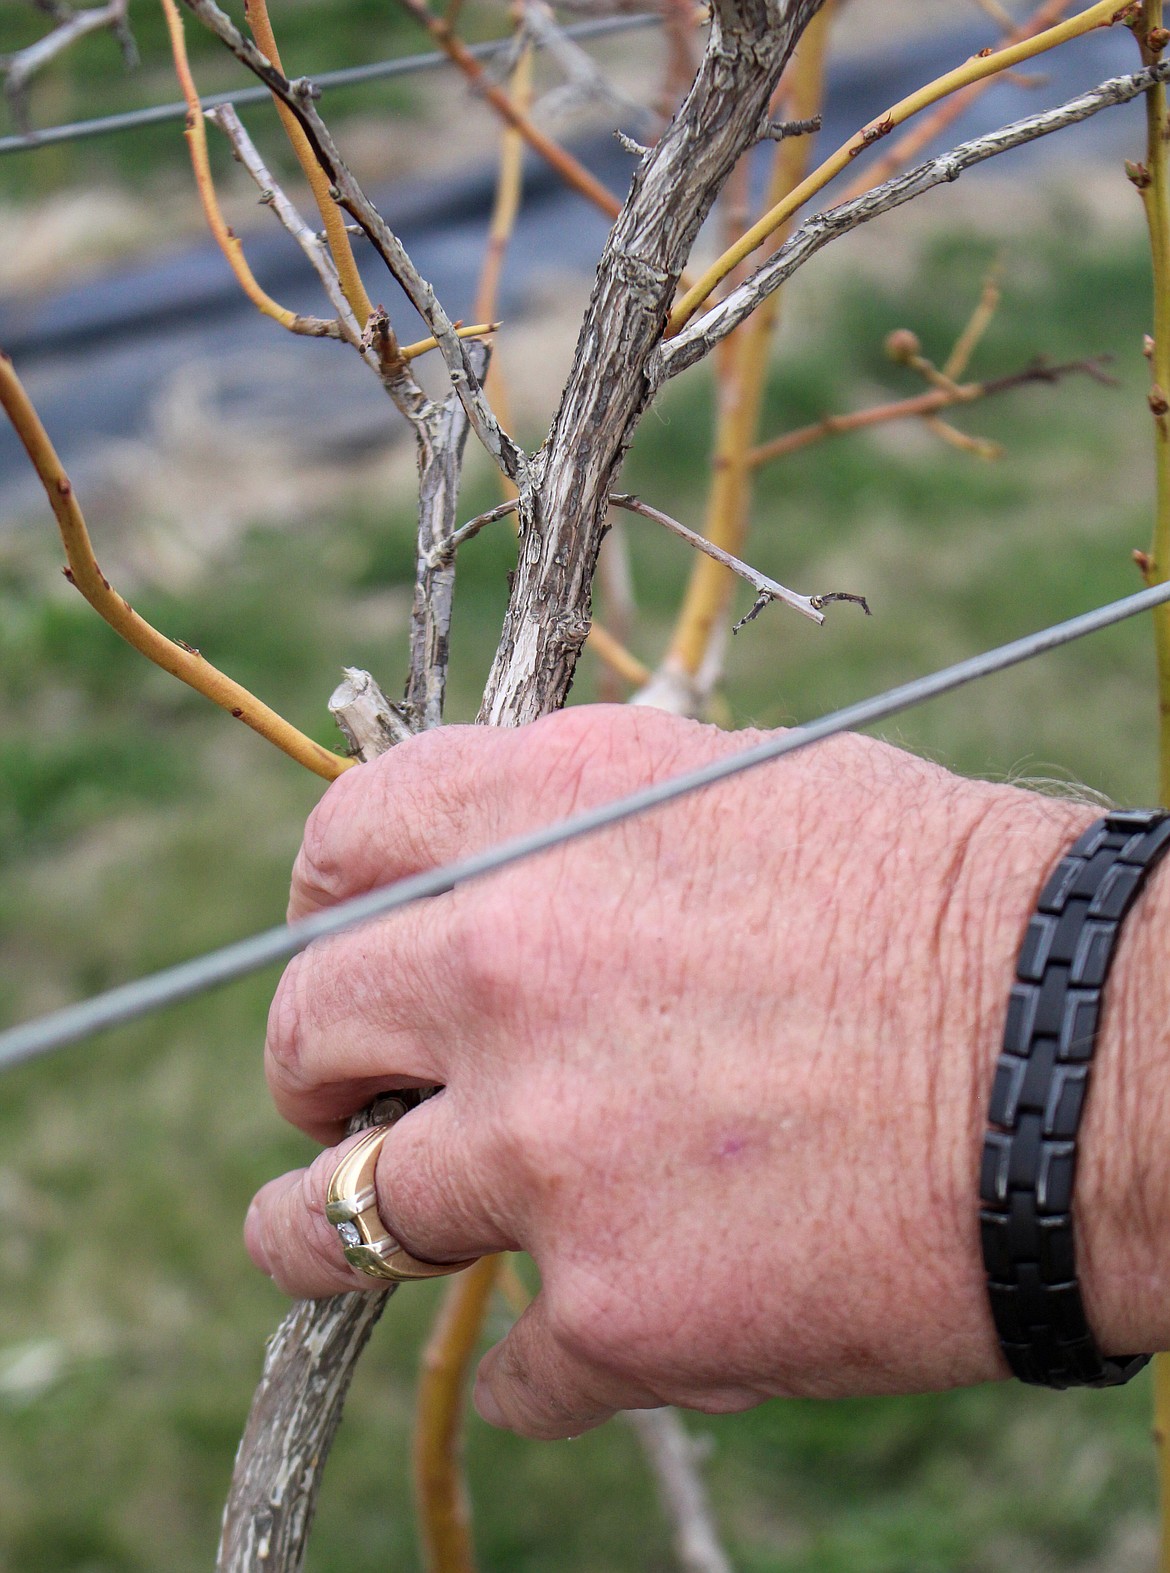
(139, 828)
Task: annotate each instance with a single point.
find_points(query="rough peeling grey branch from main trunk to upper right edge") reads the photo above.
(702, 336)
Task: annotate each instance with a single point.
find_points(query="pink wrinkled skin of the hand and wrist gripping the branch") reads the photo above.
(723, 1070)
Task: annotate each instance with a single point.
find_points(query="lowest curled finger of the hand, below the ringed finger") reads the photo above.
(534, 1383)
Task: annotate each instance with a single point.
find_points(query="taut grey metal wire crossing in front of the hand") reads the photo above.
(278, 945)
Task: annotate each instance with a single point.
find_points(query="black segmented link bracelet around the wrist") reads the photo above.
(1037, 1100)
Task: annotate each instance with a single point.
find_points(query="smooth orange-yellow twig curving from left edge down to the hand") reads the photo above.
(83, 572)
